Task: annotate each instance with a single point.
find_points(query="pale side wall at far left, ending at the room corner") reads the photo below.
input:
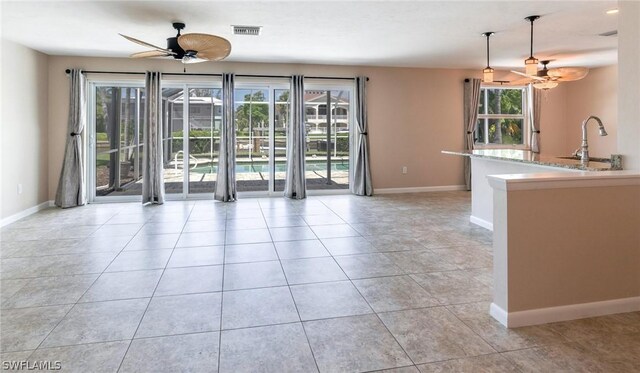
(24, 128)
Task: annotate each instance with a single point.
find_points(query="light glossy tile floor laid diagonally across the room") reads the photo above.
(330, 284)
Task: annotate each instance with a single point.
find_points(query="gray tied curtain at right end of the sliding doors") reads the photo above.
(362, 172)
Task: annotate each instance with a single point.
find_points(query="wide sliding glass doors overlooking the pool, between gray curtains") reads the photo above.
(191, 123)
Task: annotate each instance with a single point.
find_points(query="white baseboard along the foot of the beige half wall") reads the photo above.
(564, 313)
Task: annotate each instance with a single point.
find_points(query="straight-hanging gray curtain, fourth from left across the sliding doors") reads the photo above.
(295, 181)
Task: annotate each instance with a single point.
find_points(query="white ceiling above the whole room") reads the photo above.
(444, 34)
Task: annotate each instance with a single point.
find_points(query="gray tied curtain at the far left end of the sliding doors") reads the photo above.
(71, 185)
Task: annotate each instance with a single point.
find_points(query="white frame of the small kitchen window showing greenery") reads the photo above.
(486, 117)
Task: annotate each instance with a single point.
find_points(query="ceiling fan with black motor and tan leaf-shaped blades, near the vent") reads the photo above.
(189, 48)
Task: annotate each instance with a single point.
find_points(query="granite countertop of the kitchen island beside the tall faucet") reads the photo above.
(527, 156)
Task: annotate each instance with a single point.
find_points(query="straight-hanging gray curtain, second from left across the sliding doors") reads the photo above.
(152, 165)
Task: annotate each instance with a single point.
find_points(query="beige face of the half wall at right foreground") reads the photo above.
(598, 261)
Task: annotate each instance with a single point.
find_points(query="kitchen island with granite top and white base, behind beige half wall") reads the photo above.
(485, 162)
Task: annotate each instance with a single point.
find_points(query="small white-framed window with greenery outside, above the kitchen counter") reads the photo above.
(501, 117)
